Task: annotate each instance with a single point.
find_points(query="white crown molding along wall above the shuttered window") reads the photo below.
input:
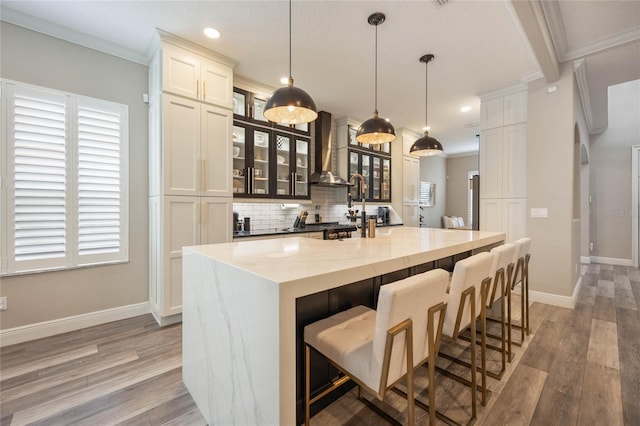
(29, 22)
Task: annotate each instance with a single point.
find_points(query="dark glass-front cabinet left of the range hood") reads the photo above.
(267, 162)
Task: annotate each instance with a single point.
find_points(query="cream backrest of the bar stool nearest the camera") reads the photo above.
(398, 301)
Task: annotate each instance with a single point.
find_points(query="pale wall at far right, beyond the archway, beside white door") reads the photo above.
(611, 174)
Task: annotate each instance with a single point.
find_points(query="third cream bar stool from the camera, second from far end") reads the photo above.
(501, 272)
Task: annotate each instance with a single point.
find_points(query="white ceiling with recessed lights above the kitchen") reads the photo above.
(479, 46)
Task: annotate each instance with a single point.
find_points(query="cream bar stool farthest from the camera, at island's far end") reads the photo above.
(521, 258)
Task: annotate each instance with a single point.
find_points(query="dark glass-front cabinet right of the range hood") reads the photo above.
(374, 164)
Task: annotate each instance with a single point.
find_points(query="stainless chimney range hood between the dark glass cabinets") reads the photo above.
(324, 146)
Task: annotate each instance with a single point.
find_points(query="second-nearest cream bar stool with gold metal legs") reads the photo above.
(466, 305)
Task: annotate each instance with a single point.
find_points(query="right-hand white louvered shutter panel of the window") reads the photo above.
(99, 180)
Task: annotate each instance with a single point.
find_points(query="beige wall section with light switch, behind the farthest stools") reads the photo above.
(550, 144)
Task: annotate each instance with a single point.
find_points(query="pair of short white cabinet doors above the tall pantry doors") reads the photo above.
(188, 74)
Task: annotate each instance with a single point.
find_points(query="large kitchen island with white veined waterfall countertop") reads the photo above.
(241, 302)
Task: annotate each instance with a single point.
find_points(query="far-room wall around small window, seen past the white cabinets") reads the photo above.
(434, 169)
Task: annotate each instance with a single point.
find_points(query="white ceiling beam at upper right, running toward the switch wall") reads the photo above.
(534, 24)
